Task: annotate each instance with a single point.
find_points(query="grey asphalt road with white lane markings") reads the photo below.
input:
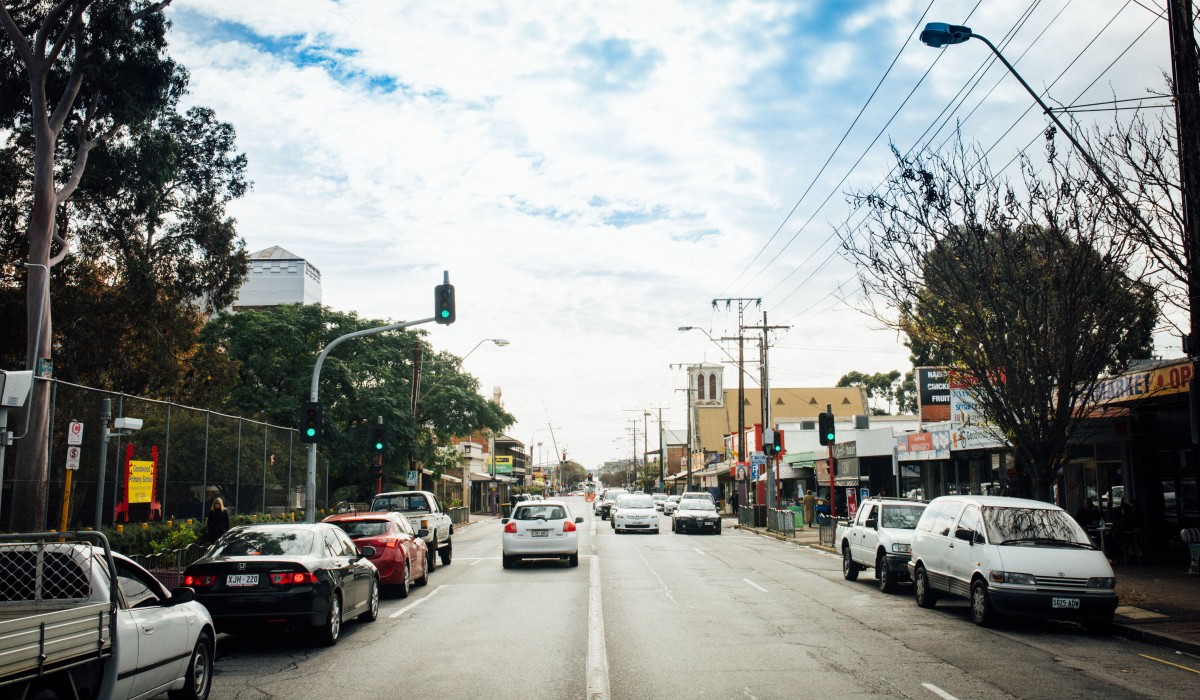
(686, 617)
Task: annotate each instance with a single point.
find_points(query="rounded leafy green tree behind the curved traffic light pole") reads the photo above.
(363, 379)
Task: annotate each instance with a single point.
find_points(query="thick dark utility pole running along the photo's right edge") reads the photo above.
(1187, 122)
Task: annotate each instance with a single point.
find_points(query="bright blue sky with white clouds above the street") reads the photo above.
(595, 175)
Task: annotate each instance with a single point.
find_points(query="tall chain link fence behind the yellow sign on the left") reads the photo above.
(253, 466)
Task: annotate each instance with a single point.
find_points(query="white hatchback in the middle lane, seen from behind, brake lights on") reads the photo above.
(541, 530)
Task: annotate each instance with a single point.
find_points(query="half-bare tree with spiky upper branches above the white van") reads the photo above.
(1024, 290)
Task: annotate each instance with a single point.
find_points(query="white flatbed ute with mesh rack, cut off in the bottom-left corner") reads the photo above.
(67, 632)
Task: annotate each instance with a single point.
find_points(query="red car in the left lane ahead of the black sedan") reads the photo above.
(400, 552)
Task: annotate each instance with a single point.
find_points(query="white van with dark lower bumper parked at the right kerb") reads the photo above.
(1011, 557)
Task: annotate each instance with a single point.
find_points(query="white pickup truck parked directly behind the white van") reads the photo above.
(880, 537)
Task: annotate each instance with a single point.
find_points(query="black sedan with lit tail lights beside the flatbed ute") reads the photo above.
(293, 577)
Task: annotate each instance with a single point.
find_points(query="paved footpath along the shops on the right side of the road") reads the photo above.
(1159, 606)
